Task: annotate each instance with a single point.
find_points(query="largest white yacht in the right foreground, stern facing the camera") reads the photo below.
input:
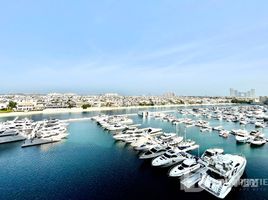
(224, 171)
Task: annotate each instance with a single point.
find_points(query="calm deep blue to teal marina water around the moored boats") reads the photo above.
(91, 165)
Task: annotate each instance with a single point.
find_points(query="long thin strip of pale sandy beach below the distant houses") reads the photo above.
(97, 109)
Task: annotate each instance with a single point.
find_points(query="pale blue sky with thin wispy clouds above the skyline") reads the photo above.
(134, 47)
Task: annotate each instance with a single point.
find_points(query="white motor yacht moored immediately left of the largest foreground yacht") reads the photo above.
(186, 167)
